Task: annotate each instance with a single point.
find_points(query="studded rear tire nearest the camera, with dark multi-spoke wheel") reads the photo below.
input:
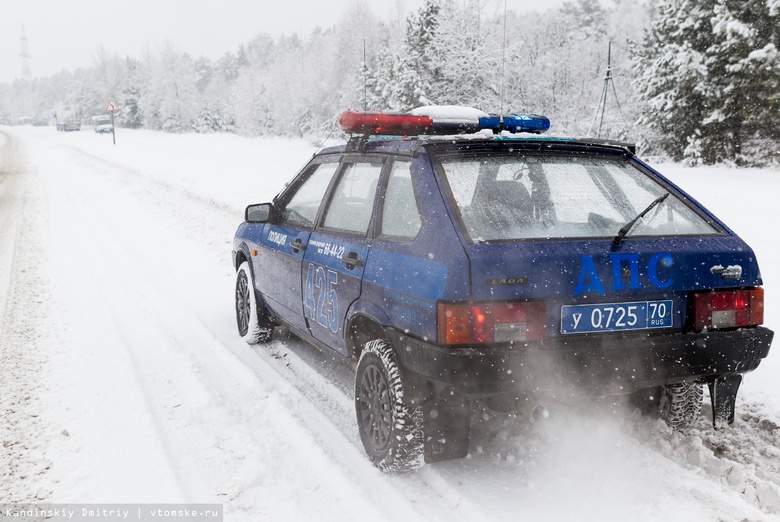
(391, 430)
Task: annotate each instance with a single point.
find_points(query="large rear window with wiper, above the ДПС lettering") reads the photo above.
(513, 196)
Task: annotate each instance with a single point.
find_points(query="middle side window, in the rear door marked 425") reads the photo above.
(352, 202)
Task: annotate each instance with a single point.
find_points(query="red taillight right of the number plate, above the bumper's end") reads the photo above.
(728, 308)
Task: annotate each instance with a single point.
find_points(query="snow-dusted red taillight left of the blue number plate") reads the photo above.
(482, 323)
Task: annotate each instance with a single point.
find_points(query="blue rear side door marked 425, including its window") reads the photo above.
(337, 251)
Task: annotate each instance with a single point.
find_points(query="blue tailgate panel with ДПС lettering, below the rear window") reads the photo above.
(586, 272)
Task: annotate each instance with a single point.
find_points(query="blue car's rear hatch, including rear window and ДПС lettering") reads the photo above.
(603, 241)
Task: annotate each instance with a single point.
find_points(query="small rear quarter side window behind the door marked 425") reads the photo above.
(400, 214)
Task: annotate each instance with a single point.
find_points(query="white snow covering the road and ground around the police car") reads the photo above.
(122, 378)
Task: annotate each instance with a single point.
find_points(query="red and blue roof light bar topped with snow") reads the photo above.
(441, 120)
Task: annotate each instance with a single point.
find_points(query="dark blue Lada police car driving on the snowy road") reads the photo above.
(453, 256)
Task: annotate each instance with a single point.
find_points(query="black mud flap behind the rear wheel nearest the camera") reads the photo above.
(446, 428)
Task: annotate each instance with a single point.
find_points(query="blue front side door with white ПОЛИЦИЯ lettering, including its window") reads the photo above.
(277, 265)
